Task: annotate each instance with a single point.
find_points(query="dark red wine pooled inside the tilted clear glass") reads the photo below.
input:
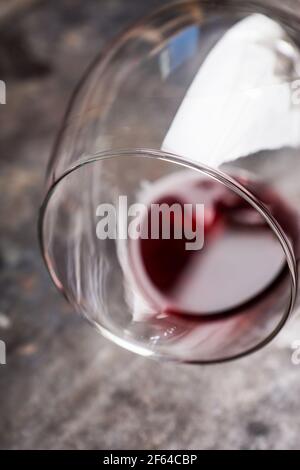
(241, 257)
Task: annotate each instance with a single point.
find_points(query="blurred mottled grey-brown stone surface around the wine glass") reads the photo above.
(64, 386)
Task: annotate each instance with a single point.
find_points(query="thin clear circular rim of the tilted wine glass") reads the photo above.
(219, 176)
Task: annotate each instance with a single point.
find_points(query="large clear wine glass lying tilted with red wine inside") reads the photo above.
(194, 113)
